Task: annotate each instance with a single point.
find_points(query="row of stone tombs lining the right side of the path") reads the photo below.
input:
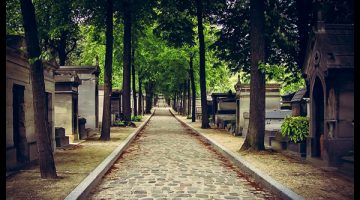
(328, 101)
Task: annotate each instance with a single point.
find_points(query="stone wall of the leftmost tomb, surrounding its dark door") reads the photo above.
(18, 73)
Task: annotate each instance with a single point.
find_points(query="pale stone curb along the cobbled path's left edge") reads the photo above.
(83, 189)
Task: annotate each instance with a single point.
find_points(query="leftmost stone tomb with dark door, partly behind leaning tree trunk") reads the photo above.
(20, 125)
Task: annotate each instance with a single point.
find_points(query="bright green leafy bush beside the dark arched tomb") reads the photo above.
(295, 128)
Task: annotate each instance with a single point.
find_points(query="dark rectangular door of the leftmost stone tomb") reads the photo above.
(19, 133)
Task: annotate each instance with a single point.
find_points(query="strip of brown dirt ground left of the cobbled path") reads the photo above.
(73, 164)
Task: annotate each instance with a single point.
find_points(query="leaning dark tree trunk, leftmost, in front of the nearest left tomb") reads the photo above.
(42, 130)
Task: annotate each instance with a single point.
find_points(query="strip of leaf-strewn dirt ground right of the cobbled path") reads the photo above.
(298, 175)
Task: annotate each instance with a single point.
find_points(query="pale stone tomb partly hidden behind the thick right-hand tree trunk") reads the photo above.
(272, 102)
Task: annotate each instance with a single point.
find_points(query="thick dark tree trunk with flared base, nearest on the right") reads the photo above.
(256, 132)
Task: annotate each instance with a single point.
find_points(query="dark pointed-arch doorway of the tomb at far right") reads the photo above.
(318, 118)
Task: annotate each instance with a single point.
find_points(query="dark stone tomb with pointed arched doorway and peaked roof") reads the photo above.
(329, 70)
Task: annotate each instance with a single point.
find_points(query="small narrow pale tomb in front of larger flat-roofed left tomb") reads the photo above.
(66, 103)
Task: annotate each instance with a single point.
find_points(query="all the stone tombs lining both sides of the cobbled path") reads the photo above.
(73, 91)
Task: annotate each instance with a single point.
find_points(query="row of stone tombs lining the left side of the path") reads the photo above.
(74, 104)
